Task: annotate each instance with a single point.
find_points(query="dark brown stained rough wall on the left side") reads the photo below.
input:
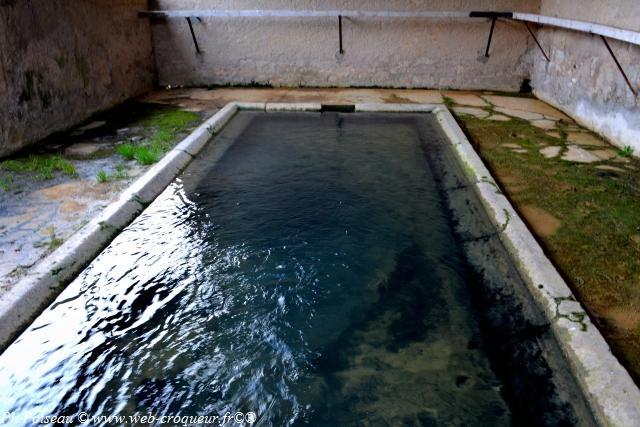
(62, 60)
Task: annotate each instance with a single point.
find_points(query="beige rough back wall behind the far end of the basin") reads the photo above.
(378, 52)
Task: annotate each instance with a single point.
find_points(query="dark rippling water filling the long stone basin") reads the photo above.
(303, 268)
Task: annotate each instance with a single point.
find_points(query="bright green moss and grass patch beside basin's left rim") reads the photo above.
(163, 127)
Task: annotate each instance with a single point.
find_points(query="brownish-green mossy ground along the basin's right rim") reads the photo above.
(597, 247)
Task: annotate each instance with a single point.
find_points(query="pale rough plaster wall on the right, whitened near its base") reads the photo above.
(582, 78)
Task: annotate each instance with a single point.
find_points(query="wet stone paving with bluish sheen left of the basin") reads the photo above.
(38, 214)
